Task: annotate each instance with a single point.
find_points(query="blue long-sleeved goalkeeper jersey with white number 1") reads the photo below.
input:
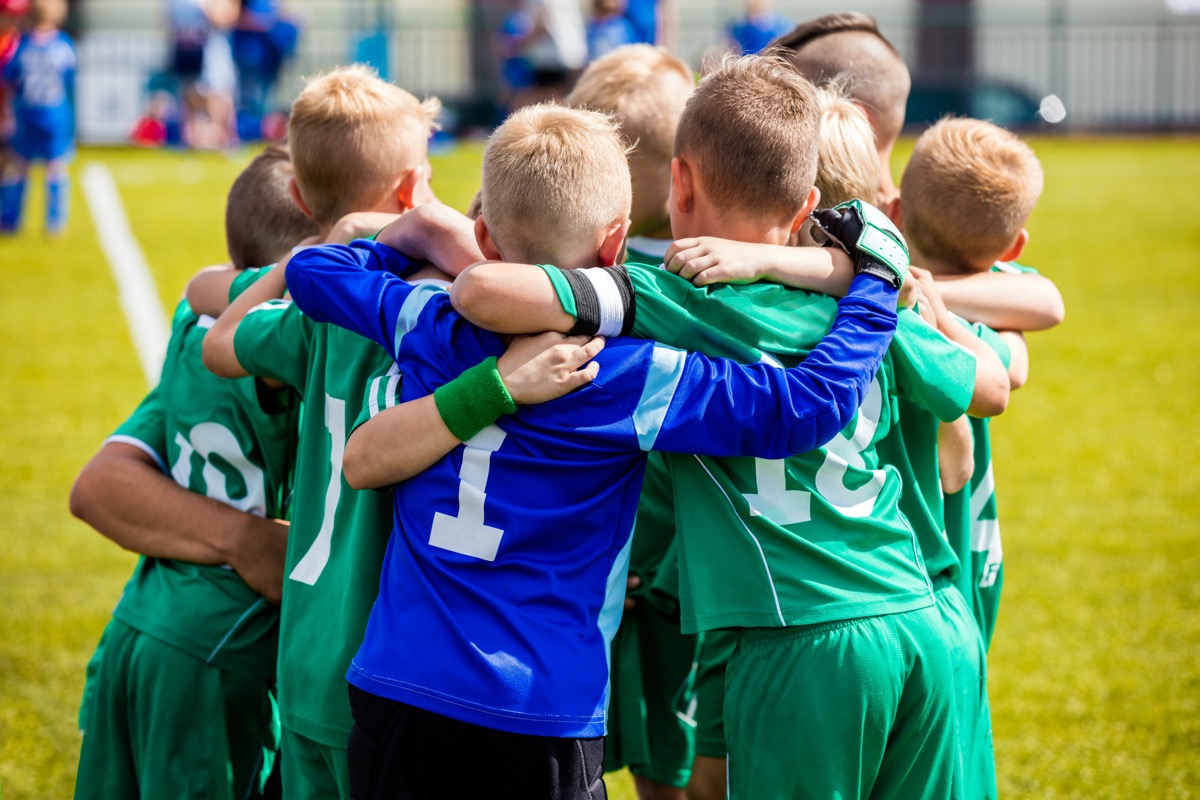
(505, 579)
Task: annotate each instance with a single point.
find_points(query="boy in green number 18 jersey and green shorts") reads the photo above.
(809, 557)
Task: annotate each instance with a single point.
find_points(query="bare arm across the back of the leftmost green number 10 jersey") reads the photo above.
(125, 496)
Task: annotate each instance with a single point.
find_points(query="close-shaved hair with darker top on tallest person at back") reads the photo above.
(849, 47)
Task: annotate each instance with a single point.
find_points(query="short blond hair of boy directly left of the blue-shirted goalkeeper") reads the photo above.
(352, 135)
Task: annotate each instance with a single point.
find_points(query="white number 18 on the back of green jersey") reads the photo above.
(785, 507)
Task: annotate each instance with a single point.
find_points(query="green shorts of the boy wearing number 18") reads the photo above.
(853, 709)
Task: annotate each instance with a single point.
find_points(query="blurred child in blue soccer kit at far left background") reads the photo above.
(43, 76)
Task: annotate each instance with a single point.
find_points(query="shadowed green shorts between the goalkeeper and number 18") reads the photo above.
(652, 702)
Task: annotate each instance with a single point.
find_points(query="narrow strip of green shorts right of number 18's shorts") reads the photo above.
(970, 661)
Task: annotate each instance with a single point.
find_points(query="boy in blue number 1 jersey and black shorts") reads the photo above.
(505, 576)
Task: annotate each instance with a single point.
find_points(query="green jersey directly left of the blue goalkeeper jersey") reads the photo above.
(339, 536)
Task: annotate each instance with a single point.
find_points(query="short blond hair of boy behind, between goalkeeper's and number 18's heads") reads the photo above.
(645, 88)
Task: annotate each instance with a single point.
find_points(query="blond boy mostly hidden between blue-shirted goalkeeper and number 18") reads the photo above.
(658, 724)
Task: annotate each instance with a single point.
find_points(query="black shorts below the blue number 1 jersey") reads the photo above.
(399, 751)
